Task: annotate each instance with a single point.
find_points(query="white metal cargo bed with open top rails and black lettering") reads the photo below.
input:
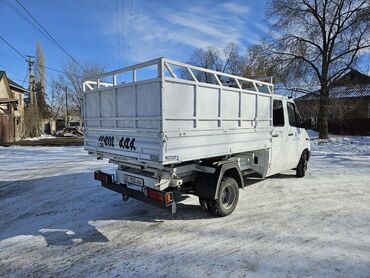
(175, 113)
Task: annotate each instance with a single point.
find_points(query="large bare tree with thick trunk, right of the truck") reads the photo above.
(319, 39)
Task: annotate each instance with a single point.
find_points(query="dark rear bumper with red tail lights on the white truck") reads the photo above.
(148, 195)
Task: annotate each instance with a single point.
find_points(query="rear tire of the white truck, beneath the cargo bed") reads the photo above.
(227, 198)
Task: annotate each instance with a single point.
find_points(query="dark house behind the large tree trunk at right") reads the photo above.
(349, 105)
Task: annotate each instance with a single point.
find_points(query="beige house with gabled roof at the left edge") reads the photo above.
(11, 109)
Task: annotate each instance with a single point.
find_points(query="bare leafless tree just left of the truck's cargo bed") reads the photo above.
(73, 79)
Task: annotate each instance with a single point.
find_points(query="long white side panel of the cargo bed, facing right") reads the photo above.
(205, 120)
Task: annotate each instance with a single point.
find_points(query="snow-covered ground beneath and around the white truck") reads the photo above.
(55, 220)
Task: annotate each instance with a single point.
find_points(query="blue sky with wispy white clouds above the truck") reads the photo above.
(88, 30)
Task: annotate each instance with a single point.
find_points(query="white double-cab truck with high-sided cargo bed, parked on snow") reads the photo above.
(171, 126)
